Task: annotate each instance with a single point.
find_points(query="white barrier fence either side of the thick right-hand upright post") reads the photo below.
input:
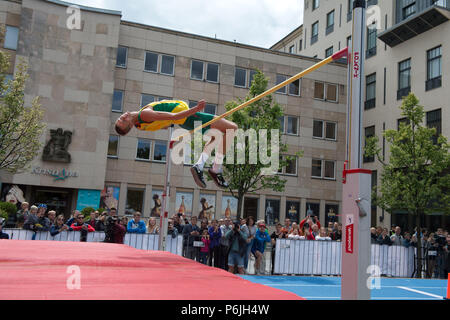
(303, 257)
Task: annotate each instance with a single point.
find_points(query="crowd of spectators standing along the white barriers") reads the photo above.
(223, 243)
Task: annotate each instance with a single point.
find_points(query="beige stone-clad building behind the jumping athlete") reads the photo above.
(87, 75)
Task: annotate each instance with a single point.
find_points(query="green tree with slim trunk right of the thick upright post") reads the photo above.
(416, 176)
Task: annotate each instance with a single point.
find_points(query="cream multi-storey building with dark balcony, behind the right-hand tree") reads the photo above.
(405, 52)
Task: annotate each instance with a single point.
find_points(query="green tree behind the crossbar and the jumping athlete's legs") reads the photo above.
(249, 178)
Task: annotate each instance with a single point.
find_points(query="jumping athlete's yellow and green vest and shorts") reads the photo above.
(173, 106)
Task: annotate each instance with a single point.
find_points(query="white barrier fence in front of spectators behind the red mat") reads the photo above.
(139, 241)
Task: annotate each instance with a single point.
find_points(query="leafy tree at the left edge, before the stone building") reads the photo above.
(20, 126)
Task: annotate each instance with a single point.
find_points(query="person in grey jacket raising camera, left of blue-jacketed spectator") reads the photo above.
(238, 245)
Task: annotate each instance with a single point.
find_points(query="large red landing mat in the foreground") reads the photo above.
(39, 270)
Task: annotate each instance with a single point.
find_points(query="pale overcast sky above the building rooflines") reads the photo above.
(259, 23)
